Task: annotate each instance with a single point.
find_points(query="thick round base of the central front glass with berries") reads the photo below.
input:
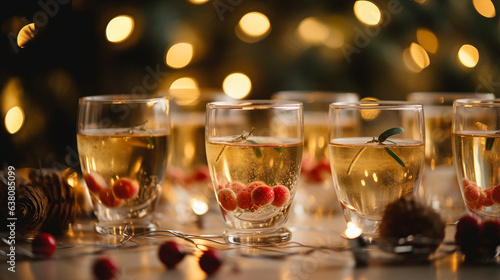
(275, 236)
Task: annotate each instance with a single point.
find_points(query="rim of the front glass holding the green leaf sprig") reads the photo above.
(376, 105)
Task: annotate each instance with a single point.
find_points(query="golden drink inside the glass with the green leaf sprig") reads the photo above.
(367, 181)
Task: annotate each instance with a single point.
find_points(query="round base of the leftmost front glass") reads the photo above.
(128, 227)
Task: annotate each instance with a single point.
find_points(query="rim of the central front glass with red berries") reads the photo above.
(255, 104)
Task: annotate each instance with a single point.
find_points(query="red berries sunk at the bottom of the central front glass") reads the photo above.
(257, 194)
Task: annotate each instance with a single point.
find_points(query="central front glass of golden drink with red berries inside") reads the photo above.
(254, 153)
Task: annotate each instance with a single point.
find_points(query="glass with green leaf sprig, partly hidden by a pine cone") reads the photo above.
(382, 162)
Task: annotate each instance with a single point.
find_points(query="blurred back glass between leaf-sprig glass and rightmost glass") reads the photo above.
(440, 188)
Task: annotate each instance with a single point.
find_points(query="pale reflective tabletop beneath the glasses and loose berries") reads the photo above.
(142, 262)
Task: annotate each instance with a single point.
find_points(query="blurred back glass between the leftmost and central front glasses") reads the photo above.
(187, 170)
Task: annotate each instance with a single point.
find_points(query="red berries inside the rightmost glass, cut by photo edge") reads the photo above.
(476, 197)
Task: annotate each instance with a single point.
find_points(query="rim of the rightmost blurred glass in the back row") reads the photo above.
(436, 98)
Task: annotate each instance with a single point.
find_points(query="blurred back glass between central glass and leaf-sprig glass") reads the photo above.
(316, 194)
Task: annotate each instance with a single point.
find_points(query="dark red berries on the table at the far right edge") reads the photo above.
(477, 239)
